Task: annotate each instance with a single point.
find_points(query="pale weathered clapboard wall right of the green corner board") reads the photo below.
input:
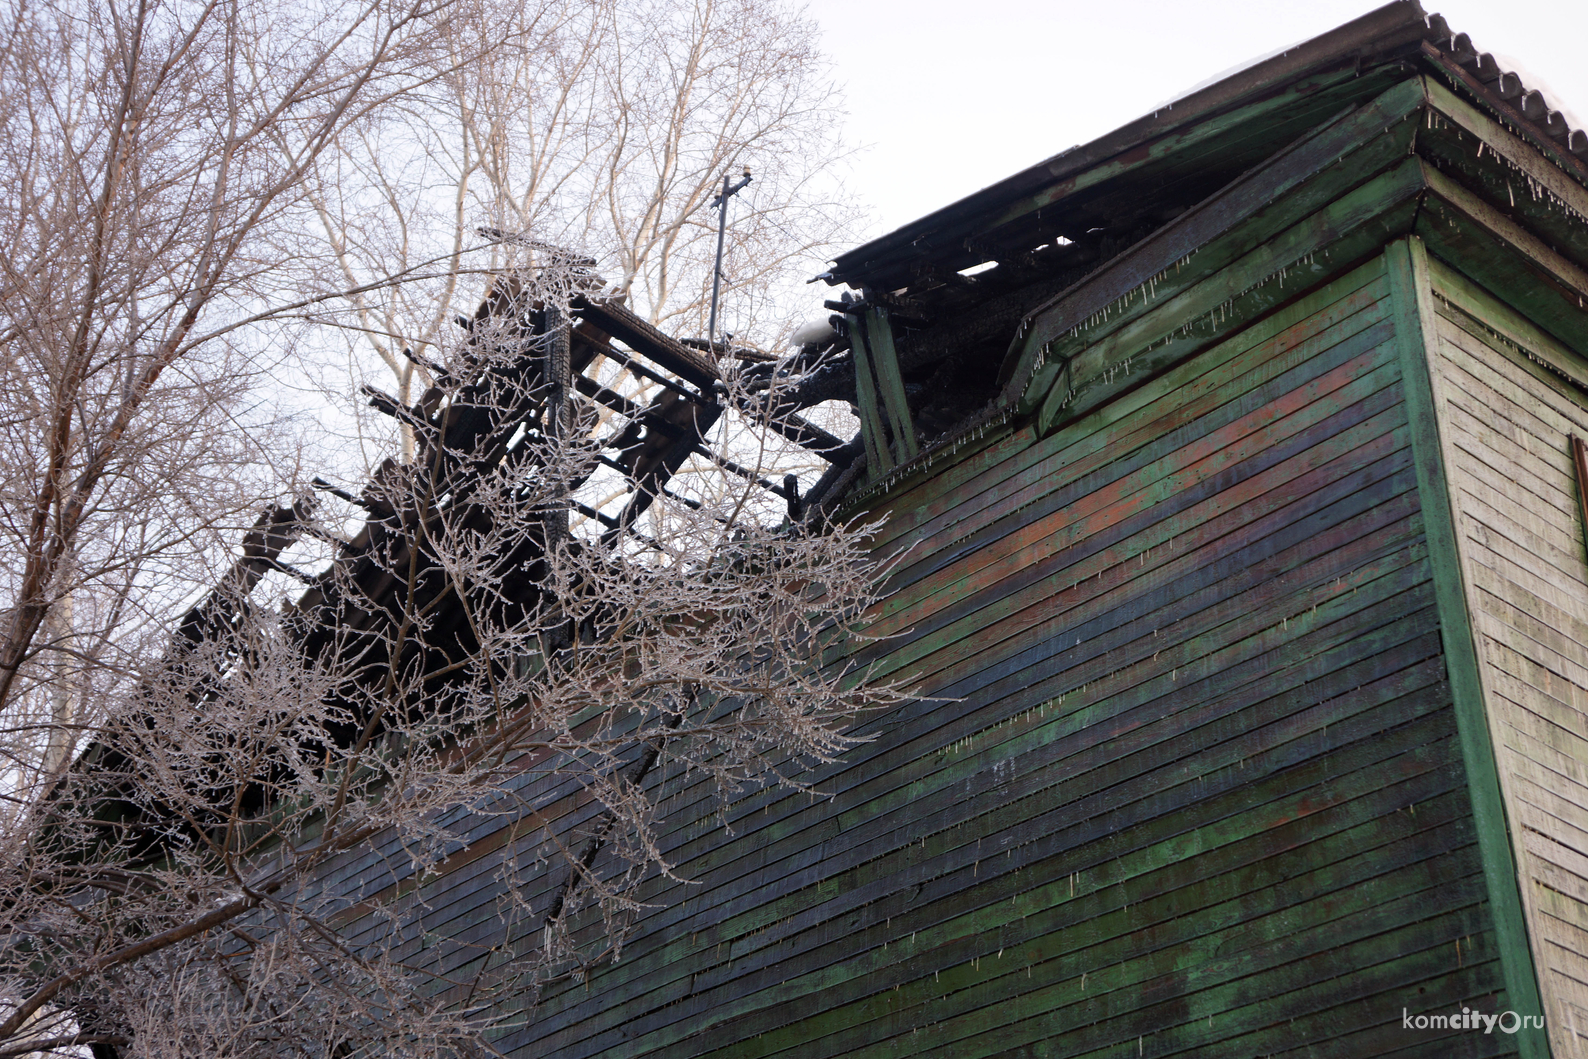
(1509, 401)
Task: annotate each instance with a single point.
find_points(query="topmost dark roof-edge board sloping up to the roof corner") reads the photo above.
(1374, 39)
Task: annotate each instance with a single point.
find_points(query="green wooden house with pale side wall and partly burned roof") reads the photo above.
(1247, 599)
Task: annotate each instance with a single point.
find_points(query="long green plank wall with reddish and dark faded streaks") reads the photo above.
(1192, 784)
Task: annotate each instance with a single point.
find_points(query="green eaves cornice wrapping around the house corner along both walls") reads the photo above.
(1230, 261)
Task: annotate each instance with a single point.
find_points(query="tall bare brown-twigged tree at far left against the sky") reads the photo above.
(150, 169)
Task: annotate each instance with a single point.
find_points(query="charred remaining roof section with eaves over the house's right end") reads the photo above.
(971, 299)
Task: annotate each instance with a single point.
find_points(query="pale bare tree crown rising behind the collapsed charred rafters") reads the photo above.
(604, 126)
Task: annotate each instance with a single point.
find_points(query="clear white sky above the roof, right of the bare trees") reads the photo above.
(952, 96)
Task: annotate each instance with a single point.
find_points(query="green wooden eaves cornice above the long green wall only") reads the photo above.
(1224, 261)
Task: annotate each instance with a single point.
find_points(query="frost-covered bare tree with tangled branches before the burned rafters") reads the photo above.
(183, 890)
